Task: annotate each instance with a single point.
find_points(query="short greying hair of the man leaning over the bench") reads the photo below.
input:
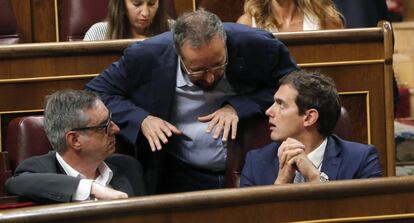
(198, 28)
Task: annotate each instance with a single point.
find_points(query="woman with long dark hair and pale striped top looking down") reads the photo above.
(131, 19)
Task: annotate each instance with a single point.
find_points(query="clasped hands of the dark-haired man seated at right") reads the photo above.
(292, 157)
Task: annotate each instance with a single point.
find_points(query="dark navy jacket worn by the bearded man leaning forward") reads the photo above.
(143, 82)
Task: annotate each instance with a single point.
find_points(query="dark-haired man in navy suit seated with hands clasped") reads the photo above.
(305, 111)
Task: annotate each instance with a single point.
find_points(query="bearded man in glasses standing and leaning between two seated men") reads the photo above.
(182, 94)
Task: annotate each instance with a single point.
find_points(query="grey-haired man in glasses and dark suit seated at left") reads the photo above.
(83, 166)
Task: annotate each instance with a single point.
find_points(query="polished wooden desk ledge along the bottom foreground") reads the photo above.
(340, 199)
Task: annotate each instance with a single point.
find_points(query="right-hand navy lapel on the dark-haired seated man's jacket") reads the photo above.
(331, 160)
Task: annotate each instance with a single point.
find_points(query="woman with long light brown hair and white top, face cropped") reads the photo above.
(291, 15)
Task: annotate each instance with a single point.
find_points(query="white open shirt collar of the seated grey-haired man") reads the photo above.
(105, 173)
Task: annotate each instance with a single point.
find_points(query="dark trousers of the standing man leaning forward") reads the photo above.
(179, 176)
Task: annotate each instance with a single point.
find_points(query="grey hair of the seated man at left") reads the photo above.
(64, 111)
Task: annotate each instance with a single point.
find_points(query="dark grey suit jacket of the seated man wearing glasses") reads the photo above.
(42, 178)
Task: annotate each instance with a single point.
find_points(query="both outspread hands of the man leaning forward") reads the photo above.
(157, 131)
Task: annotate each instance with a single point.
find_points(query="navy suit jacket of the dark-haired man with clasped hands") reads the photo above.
(342, 160)
